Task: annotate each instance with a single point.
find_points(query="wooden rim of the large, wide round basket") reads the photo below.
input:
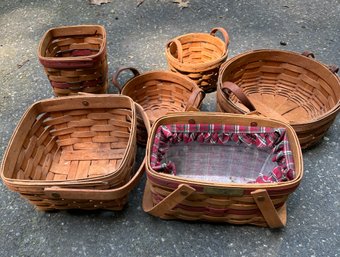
(224, 66)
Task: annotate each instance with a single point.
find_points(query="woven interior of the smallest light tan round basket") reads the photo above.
(200, 48)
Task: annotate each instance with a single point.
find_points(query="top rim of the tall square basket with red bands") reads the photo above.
(74, 59)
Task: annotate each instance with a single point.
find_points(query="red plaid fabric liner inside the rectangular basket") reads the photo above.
(171, 144)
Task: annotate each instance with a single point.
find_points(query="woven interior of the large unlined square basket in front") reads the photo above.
(72, 144)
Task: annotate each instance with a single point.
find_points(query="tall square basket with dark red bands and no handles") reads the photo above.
(74, 59)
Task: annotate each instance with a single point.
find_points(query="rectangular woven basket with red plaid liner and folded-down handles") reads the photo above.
(170, 196)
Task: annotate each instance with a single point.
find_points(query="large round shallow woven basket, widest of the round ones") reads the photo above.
(282, 85)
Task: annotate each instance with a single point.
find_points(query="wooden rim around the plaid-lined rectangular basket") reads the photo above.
(180, 180)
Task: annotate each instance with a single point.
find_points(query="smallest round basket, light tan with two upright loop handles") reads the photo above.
(198, 56)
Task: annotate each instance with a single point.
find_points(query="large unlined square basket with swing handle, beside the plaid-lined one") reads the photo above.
(75, 152)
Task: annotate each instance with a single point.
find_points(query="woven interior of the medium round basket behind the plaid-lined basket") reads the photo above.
(159, 93)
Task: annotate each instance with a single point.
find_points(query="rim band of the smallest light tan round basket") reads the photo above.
(200, 66)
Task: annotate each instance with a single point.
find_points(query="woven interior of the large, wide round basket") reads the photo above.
(289, 90)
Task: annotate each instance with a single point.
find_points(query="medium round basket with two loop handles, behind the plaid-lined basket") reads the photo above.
(159, 93)
